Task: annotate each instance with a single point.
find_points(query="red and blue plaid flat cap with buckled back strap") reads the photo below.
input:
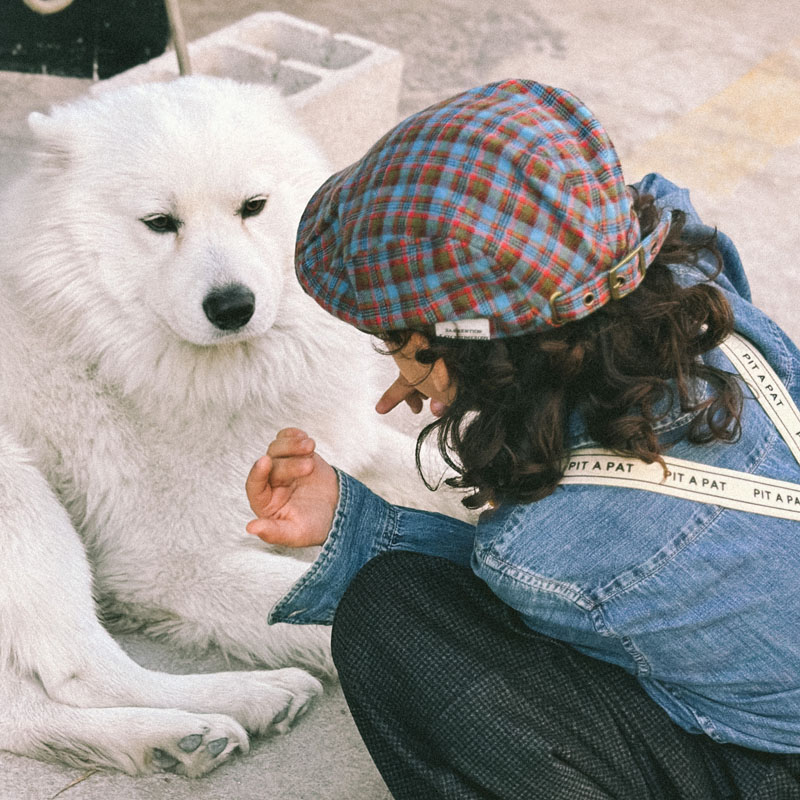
(500, 211)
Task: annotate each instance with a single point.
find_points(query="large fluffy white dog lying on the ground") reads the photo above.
(129, 421)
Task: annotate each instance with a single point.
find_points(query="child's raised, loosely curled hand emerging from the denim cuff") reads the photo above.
(293, 492)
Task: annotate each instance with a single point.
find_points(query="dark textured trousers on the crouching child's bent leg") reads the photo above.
(456, 699)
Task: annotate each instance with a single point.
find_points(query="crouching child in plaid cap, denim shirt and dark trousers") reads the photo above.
(624, 620)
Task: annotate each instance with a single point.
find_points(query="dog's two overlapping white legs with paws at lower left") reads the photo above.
(69, 692)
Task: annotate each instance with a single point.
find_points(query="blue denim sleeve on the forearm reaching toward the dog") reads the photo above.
(365, 525)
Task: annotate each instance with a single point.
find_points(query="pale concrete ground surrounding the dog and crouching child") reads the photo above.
(706, 93)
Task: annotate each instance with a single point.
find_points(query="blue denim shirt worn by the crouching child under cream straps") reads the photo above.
(700, 603)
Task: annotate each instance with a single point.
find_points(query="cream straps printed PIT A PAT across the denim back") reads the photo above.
(693, 481)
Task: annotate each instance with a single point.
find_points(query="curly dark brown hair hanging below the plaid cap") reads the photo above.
(623, 368)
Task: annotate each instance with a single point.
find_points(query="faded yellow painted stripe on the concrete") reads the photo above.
(733, 134)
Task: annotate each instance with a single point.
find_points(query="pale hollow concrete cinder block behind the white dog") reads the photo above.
(345, 90)
